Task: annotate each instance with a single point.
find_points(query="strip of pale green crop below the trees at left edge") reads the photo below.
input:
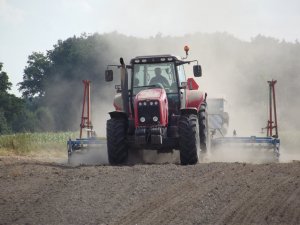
(31, 143)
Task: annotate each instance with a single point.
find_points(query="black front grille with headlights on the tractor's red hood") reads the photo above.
(148, 110)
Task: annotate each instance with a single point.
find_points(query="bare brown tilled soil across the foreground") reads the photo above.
(35, 192)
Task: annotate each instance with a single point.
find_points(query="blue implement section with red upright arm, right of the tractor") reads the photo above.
(269, 144)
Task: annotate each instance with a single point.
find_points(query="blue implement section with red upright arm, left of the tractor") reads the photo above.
(82, 144)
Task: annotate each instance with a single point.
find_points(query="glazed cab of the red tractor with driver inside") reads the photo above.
(161, 71)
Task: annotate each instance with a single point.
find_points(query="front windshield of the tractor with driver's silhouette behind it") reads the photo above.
(154, 75)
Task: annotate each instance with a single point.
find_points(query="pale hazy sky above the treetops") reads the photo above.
(36, 25)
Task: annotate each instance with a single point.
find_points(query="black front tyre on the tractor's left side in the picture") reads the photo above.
(117, 147)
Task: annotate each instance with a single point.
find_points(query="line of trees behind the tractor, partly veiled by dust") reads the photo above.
(52, 81)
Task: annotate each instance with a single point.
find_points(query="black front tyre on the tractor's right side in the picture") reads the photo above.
(189, 142)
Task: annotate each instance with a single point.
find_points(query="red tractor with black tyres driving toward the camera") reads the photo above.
(157, 108)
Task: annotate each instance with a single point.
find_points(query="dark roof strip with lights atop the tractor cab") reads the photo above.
(155, 59)
